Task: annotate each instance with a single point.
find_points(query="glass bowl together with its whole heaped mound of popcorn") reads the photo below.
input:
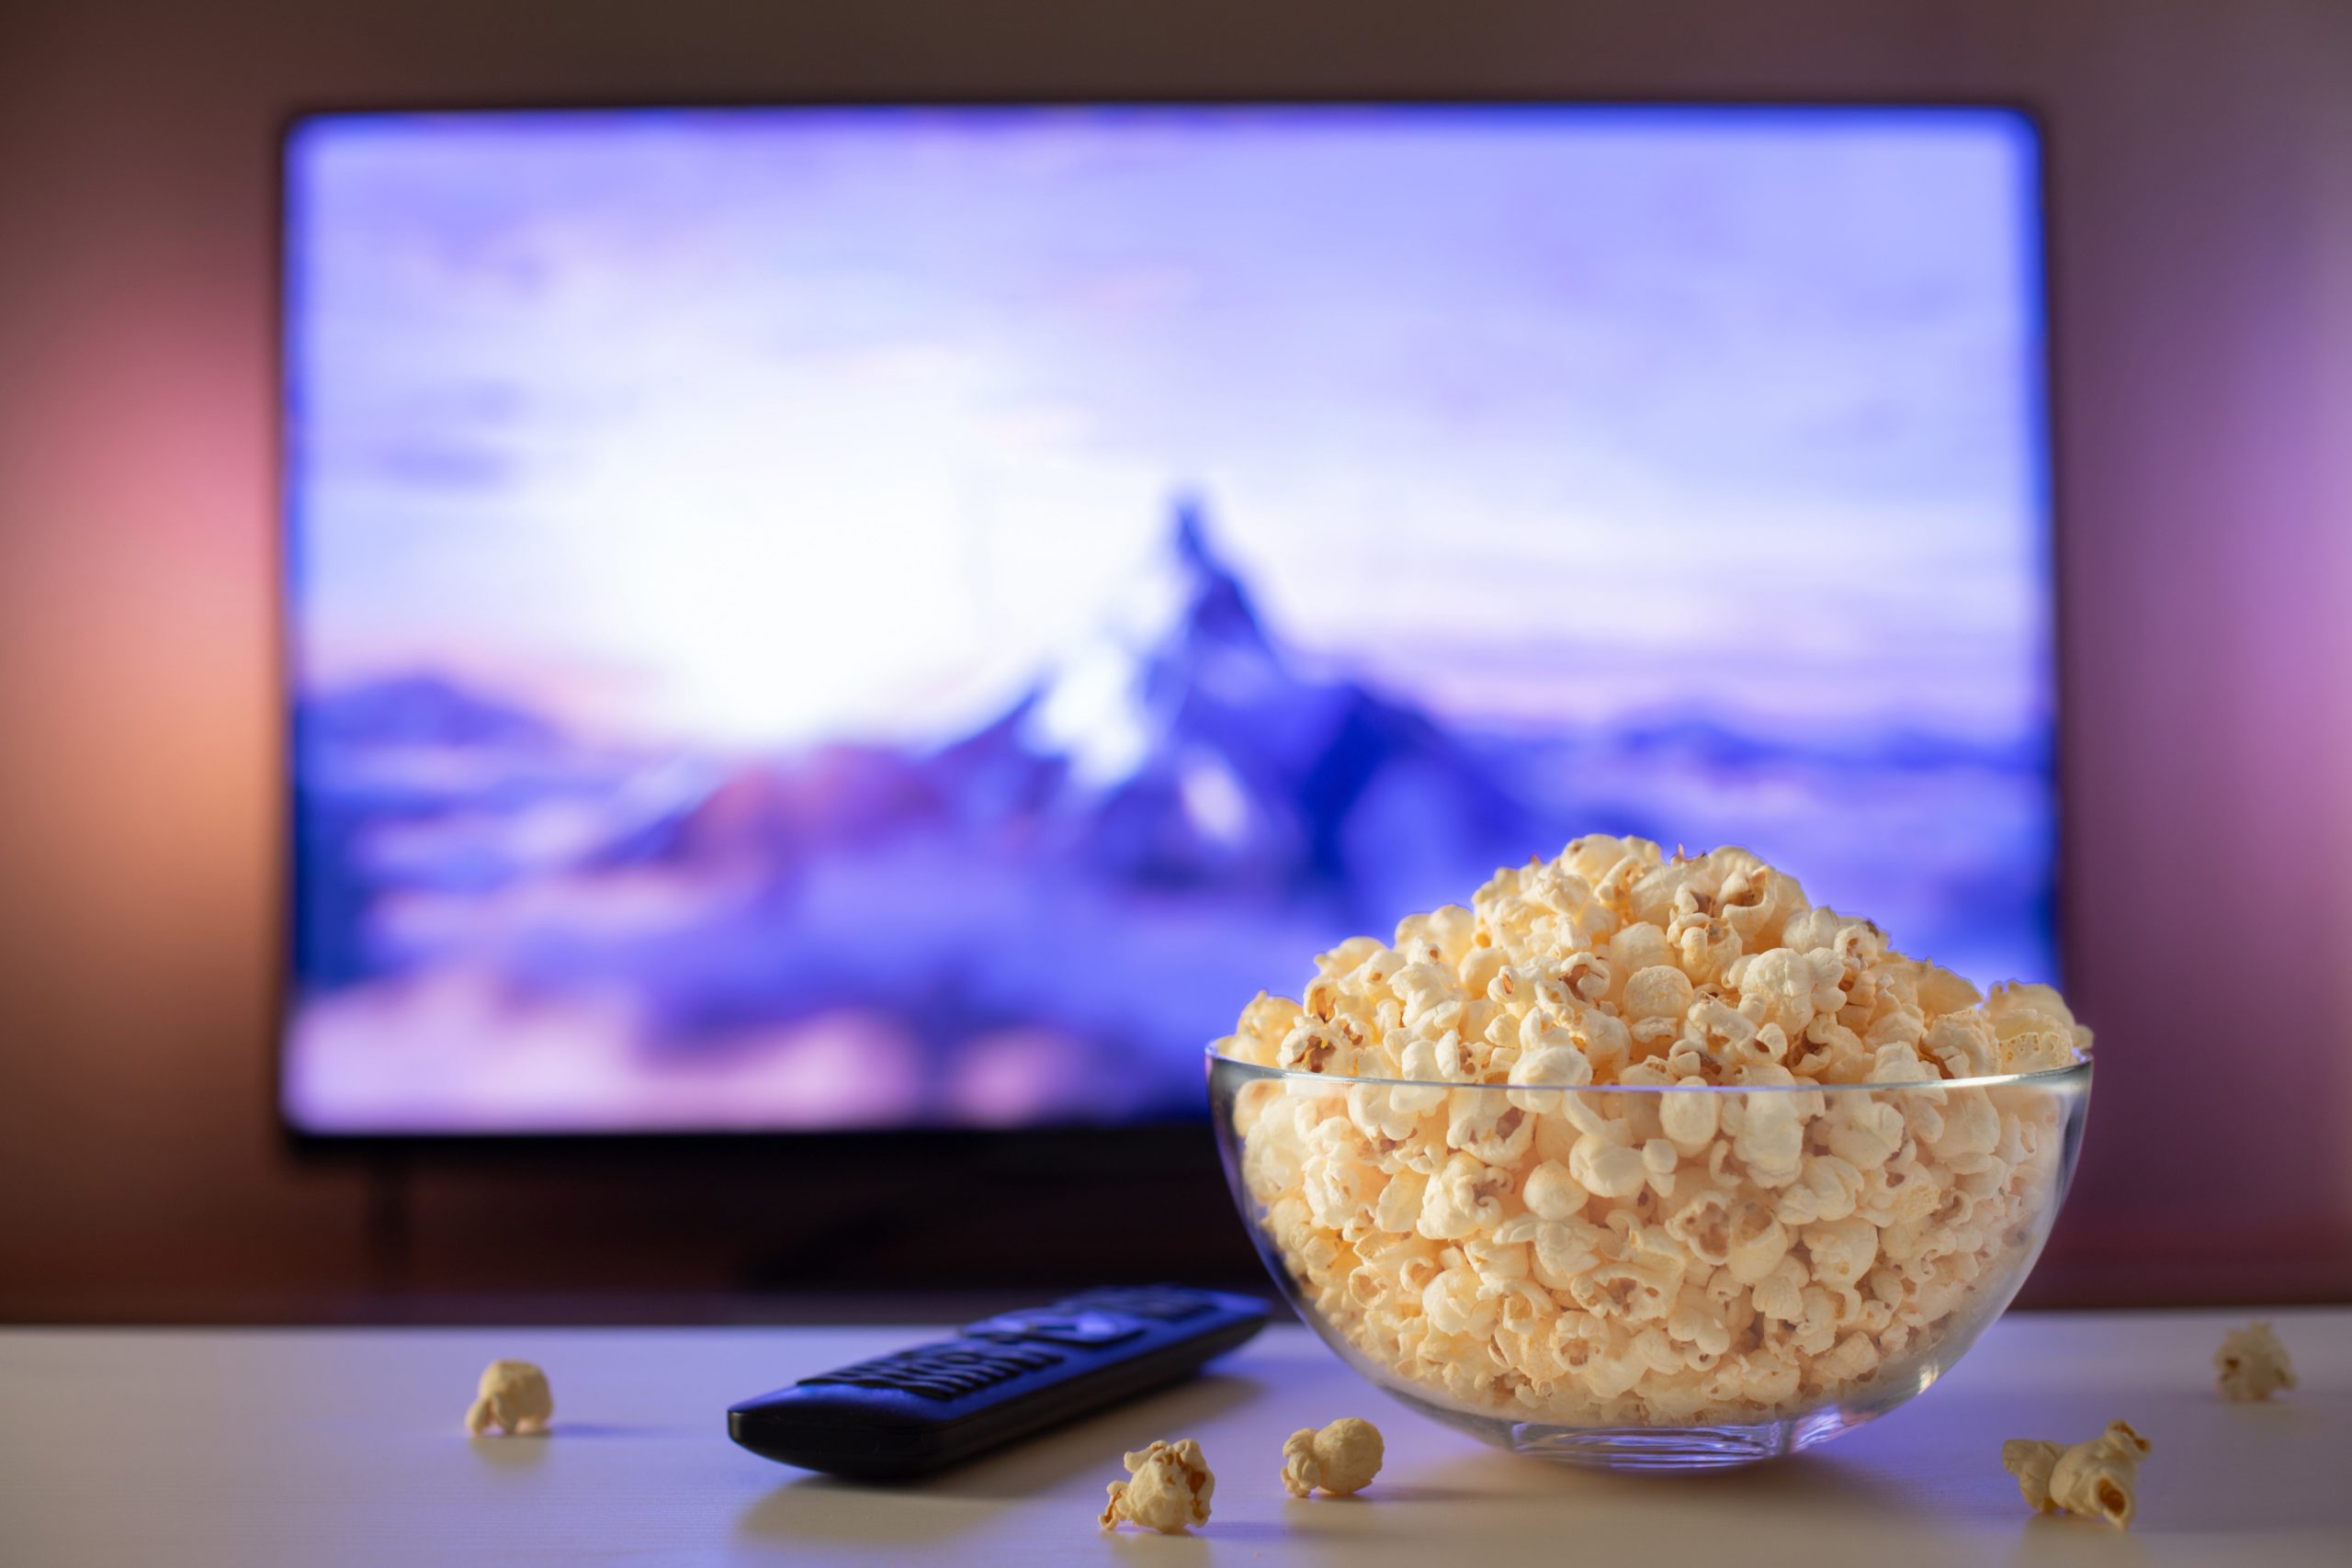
(1645, 1160)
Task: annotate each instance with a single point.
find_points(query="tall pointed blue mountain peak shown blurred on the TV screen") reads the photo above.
(1182, 751)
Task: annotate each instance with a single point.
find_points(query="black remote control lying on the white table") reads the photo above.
(998, 1381)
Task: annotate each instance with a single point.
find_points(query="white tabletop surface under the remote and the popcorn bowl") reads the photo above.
(345, 1447)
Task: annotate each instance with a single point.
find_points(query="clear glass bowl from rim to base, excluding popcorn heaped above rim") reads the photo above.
(1650, 1278)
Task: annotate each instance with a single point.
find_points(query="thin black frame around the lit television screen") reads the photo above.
(1048, 1148)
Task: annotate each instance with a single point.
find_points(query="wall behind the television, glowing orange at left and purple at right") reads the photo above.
(2205, 351)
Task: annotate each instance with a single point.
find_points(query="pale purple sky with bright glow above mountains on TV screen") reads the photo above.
(751, 429)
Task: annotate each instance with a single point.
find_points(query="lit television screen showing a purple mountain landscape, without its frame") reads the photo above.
(909, 617)
